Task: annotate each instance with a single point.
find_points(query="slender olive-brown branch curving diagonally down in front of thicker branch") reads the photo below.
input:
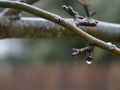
(57, 19)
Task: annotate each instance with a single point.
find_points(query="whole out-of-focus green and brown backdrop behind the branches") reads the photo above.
(47, 64)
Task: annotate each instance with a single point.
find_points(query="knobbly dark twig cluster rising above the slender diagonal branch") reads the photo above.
(81, 20)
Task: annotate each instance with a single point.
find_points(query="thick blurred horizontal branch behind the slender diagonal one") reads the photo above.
(41, 28)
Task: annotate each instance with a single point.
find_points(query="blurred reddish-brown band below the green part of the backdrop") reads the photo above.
(60, 77)
